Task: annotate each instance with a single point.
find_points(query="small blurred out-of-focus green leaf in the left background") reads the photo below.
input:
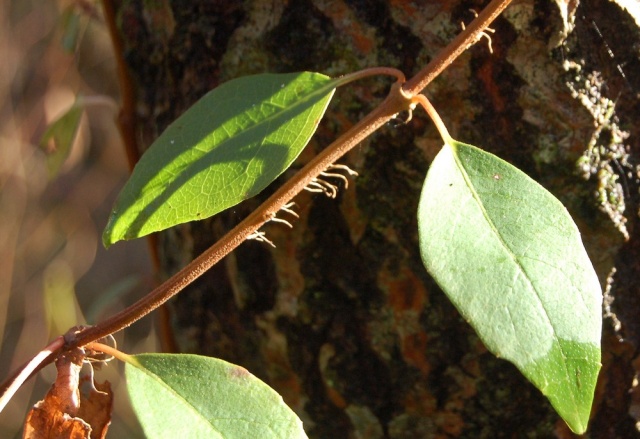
(58, 138)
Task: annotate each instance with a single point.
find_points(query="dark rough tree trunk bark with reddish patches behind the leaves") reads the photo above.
(341, 317)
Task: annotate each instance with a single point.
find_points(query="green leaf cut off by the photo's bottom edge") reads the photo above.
(189, 396)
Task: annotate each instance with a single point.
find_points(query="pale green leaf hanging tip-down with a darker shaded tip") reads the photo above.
(510, 258)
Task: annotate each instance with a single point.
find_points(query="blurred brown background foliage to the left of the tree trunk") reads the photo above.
(54, 273)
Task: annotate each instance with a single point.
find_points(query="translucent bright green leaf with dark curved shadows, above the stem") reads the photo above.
(226, 148)
